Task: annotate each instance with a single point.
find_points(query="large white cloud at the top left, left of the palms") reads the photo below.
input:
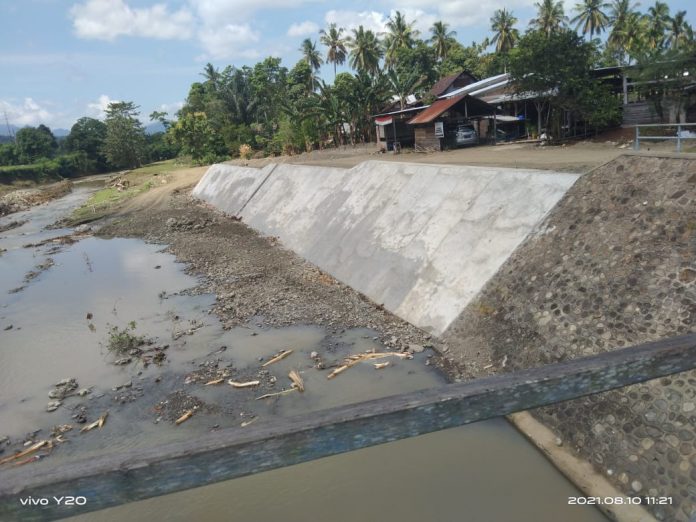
(108, 19)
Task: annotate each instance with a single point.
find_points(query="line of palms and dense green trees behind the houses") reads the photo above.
(268, 109)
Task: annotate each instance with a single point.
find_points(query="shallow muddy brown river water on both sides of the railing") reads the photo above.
(59, 304)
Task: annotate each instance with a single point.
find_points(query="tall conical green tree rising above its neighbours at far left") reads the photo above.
(124, 145)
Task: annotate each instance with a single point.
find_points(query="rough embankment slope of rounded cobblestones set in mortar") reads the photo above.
(614, 264)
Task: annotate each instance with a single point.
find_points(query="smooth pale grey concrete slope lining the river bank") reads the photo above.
(420, 239)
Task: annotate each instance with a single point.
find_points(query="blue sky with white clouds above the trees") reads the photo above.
(63, 59)
